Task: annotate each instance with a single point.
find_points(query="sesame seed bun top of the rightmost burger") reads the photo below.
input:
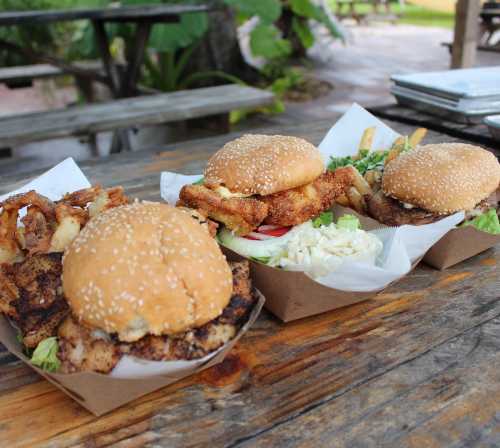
(442, 178)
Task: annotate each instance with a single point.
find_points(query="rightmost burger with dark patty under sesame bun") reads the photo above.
(435, 180)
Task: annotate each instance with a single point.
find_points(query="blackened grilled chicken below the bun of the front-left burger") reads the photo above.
(82, 349)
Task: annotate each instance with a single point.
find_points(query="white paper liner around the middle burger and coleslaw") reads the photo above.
(403, 246)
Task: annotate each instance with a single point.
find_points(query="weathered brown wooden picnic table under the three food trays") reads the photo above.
(416, 366)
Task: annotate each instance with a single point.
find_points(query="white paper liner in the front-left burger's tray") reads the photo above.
(64, 178)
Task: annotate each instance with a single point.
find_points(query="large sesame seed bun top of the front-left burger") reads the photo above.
(145, 268)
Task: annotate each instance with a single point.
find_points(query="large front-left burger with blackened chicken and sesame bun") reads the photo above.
(143, 279)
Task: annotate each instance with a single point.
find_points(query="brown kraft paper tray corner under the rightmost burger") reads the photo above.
(458, 245)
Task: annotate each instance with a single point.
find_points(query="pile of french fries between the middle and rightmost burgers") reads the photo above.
(366, 185)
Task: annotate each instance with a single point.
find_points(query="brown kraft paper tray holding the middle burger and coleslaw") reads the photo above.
(293, 295)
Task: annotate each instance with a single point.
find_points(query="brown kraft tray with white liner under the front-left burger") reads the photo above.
(131, 378)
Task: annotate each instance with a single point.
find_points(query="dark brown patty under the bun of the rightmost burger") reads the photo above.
(391, 212)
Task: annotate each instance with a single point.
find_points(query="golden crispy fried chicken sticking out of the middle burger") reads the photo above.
(286, 208)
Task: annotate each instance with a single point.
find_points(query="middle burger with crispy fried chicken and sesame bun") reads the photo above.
(264, 184)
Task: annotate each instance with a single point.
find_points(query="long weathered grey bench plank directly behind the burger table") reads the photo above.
(129, 112)
